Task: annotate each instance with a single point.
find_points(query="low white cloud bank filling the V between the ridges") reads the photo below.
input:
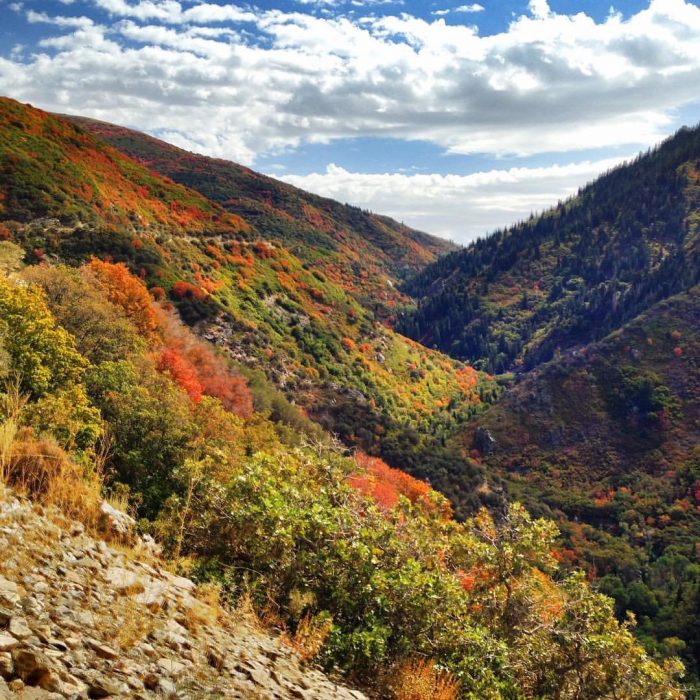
(461, 207)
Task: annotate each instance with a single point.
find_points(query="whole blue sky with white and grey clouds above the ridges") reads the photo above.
(454, 118)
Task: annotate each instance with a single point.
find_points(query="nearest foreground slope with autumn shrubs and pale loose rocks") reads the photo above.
(359, 566)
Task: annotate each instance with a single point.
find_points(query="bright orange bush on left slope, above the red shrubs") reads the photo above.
(128, 292)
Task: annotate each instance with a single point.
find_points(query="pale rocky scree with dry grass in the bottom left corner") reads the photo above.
(83, 619)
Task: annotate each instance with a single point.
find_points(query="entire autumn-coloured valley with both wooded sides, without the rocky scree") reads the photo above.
(339, 417)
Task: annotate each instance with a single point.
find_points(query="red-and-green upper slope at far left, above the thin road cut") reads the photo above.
(48, 168)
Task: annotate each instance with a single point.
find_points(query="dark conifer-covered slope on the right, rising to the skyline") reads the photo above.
(573, 274)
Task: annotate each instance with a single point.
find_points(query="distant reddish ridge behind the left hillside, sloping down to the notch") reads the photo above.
(365, 253)
